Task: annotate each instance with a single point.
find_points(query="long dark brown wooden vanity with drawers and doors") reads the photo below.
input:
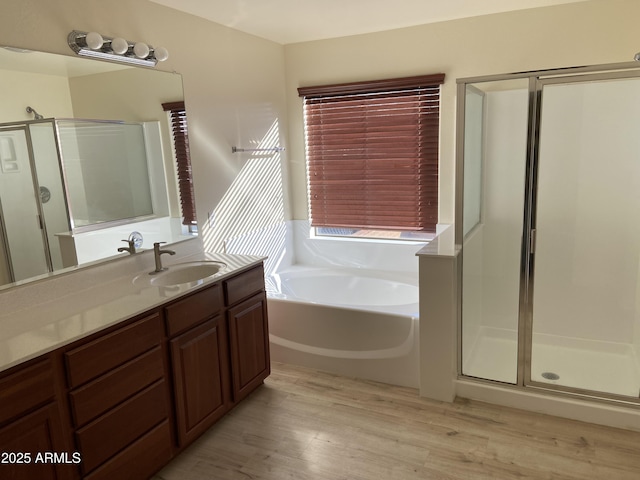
(125, 399)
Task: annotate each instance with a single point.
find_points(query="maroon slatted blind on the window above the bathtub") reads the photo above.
(372, 153)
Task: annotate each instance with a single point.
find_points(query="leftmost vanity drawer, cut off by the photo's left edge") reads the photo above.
(25, 389)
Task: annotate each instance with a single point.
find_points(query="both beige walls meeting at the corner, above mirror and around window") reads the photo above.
(238, 87)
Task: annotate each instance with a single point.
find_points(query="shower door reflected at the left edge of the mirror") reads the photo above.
(25, 243)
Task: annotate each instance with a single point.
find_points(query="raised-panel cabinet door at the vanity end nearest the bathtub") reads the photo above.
(249, 344)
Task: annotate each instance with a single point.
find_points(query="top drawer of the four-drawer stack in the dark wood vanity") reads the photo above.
(112, 350)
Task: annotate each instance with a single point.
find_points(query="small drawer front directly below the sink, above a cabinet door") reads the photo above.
(194, 309)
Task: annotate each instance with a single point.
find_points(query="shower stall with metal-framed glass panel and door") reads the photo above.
(548, 210)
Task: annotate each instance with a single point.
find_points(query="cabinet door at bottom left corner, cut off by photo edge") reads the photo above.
(25, 446)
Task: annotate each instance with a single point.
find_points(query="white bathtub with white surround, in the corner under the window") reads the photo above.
(348, 307)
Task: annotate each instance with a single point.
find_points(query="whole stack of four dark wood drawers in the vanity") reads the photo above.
(120, 402)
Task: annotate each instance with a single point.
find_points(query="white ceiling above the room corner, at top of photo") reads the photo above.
(292, 21)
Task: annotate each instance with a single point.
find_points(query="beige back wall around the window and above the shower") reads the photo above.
(584, 33)
